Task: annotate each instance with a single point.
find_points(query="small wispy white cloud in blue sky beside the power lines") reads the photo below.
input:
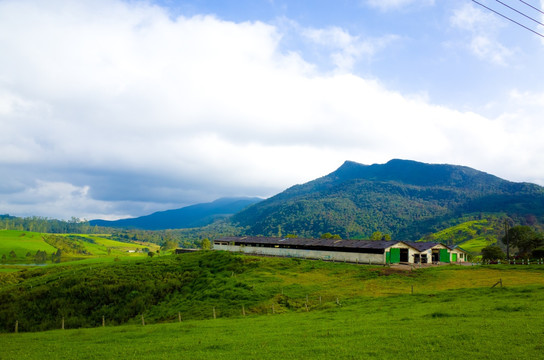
(483, 28)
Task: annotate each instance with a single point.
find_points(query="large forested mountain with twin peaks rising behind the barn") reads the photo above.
(404, 198)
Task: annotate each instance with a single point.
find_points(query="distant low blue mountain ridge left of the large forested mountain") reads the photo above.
(186, 217)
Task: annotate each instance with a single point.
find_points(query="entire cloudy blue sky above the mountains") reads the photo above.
(112, 109)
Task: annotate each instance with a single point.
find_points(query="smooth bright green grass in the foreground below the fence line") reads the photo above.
(504, 323)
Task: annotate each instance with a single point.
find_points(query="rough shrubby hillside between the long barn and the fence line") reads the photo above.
(195, 285)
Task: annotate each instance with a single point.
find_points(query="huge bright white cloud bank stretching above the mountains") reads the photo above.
(110, 109)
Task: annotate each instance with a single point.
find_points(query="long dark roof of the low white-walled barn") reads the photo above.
(304, 242)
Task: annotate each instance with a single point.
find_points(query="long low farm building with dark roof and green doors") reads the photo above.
(356, 251)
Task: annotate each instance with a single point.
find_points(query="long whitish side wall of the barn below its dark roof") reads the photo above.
(307, 254)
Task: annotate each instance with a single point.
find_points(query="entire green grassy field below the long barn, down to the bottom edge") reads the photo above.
(295, 309)
